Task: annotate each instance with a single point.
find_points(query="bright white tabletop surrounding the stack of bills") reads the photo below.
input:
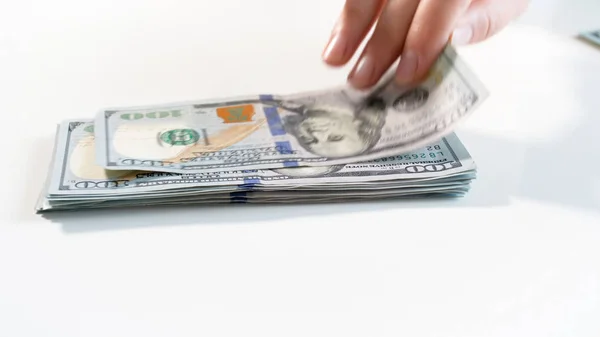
(519, 256)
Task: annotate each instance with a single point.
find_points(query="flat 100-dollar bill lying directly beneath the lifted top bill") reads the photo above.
(75, 173)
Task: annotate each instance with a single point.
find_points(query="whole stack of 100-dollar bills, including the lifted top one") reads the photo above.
(334, 145)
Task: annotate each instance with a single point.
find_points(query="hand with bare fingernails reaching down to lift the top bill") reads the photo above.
(416, 31)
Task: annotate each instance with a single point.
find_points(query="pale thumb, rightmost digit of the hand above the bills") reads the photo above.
(485, 18)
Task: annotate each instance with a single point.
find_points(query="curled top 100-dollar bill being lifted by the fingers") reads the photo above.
(320, 128)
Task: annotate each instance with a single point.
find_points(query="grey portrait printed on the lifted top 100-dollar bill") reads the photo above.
(335, 128)
